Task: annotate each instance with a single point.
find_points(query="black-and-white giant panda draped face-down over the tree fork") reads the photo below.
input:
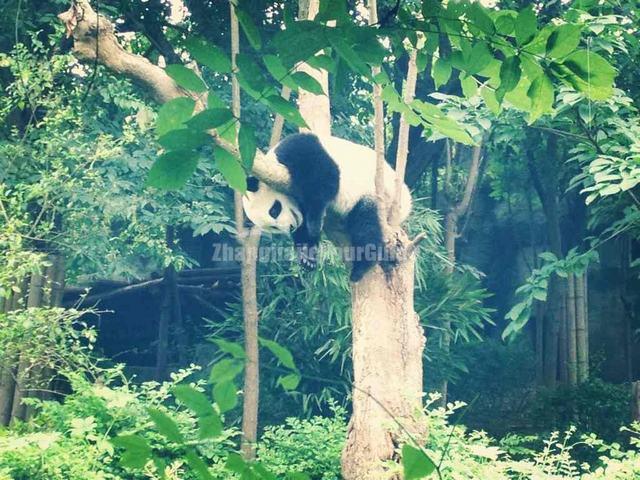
(326, 173)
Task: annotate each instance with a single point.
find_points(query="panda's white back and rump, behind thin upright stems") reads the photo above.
(357, 165)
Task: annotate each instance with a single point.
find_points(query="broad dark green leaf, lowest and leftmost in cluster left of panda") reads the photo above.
(173, 169)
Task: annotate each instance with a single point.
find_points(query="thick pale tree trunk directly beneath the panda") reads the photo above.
(388, 342)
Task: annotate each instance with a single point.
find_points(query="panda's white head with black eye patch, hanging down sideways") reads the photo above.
(269, 209)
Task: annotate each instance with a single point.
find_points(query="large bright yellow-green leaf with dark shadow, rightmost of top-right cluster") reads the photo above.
(590, 74)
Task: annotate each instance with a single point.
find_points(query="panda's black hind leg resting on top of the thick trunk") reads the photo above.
(365, 232)
